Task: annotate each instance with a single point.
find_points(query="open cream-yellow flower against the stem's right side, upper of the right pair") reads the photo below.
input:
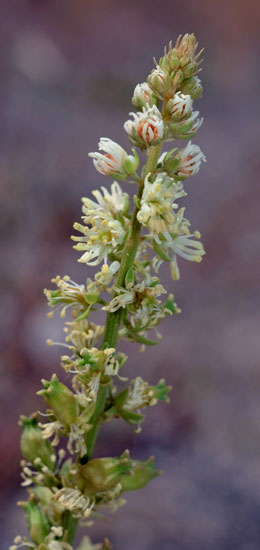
(156, 212)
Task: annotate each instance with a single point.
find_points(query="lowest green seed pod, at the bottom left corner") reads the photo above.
(36, 521)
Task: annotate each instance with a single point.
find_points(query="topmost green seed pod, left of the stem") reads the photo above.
(62, 401)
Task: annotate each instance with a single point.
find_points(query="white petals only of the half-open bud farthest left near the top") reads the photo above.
(113, 158)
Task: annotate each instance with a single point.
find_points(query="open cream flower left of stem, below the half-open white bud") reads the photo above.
(102, 238)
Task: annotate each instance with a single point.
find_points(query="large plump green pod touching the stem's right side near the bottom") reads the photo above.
(102, 474)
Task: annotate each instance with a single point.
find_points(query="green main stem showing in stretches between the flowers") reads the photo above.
(113, 320)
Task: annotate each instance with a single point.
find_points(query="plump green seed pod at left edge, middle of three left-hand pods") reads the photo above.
(33, 445)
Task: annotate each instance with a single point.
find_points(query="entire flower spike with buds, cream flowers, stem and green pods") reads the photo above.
(70, 485)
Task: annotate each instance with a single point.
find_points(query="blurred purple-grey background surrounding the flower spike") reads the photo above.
(67, 73)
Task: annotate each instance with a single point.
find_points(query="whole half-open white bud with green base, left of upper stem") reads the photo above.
(114, 161)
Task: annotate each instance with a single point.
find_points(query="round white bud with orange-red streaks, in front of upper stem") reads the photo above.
(146, 128)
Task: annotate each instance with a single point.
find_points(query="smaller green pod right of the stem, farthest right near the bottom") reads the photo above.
(142, 473)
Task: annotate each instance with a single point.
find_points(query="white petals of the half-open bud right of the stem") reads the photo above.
(191, 158)
